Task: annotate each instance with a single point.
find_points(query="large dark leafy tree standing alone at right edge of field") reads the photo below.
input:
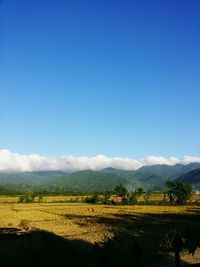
(178, 192)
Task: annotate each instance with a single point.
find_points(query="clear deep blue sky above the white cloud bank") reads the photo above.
(88, 77)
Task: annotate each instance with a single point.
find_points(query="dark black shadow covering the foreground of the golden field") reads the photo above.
(138, 241)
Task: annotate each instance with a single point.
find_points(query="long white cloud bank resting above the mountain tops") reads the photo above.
(15, 162)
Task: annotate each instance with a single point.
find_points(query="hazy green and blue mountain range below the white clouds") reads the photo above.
(149, 177)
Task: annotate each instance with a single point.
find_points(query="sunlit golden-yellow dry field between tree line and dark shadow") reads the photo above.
(80, 221)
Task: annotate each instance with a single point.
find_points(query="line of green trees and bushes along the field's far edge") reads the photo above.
(177, 193)
